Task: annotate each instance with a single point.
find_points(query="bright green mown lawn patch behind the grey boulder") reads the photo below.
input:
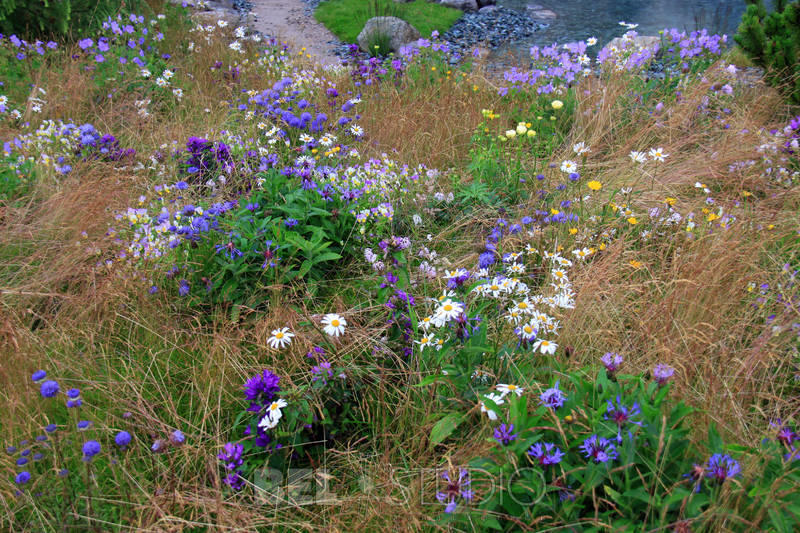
(346, 18)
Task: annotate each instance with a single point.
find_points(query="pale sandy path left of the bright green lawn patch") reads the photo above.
(288, 21)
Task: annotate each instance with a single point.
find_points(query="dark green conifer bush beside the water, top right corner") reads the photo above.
(771, 40)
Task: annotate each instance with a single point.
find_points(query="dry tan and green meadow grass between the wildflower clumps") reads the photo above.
(171, 369)
